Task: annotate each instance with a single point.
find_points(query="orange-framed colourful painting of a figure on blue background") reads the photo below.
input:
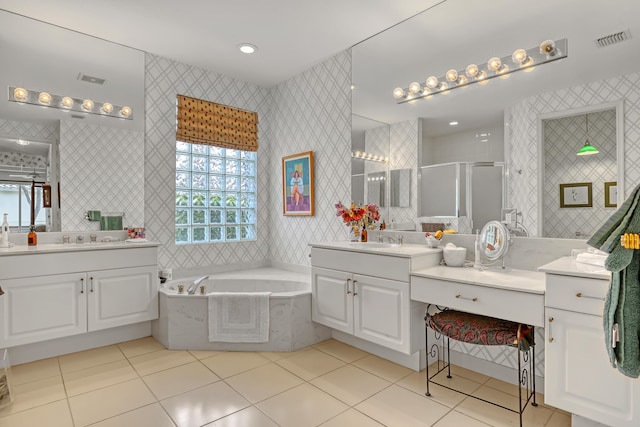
(297, 184)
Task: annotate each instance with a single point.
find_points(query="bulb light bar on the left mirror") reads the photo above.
(66, 103)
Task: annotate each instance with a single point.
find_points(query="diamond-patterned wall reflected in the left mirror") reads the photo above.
(101, 168)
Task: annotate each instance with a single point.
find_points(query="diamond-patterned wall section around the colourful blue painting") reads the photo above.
(311, 112)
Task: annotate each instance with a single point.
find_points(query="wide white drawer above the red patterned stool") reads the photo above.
(523, 307)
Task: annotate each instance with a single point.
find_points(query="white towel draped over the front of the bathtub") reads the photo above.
(239, 317)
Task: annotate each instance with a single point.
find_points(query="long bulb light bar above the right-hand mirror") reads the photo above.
(520, 60)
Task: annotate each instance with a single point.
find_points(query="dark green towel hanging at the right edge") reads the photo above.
(621, 317)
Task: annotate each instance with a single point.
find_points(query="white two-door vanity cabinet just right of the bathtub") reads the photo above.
(367, 295)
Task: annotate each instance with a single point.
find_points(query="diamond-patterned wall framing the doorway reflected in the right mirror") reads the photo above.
(521, 139)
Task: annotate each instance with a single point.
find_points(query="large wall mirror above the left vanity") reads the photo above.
(94, 160)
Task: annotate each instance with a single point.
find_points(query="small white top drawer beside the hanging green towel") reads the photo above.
(577, 294)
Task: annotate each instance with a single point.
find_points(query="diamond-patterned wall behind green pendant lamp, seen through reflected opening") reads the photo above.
(562, 138)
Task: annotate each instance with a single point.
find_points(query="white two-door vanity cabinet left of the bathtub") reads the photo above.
(59, 294)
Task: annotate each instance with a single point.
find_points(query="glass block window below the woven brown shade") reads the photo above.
(215, 194)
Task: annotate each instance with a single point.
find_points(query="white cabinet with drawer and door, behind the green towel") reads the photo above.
(578, 375)
